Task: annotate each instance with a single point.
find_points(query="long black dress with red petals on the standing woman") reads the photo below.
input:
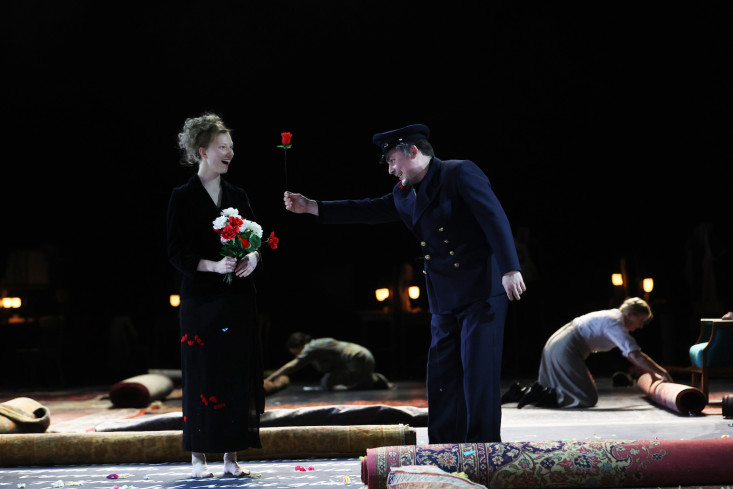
(221, 354)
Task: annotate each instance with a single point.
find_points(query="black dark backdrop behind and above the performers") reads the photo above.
(604, 129)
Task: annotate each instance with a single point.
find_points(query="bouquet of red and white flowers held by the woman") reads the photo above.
(239, 236)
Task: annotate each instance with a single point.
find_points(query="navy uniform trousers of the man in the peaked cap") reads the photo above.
(464, 373)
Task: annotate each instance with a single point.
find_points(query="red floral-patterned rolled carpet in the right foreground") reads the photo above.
(593, 463)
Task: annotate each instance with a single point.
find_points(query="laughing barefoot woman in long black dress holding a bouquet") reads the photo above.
(221, 359)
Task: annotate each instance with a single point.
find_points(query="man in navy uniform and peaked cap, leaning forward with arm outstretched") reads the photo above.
(471, 268)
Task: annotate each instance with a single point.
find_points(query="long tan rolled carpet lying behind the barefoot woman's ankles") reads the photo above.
(166, 446)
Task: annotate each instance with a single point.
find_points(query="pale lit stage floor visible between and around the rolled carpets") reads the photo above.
(622, 413)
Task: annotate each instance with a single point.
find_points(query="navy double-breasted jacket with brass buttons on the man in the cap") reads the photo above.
(462, 229)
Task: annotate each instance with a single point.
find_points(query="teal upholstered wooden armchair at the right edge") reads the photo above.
(712, 353)
